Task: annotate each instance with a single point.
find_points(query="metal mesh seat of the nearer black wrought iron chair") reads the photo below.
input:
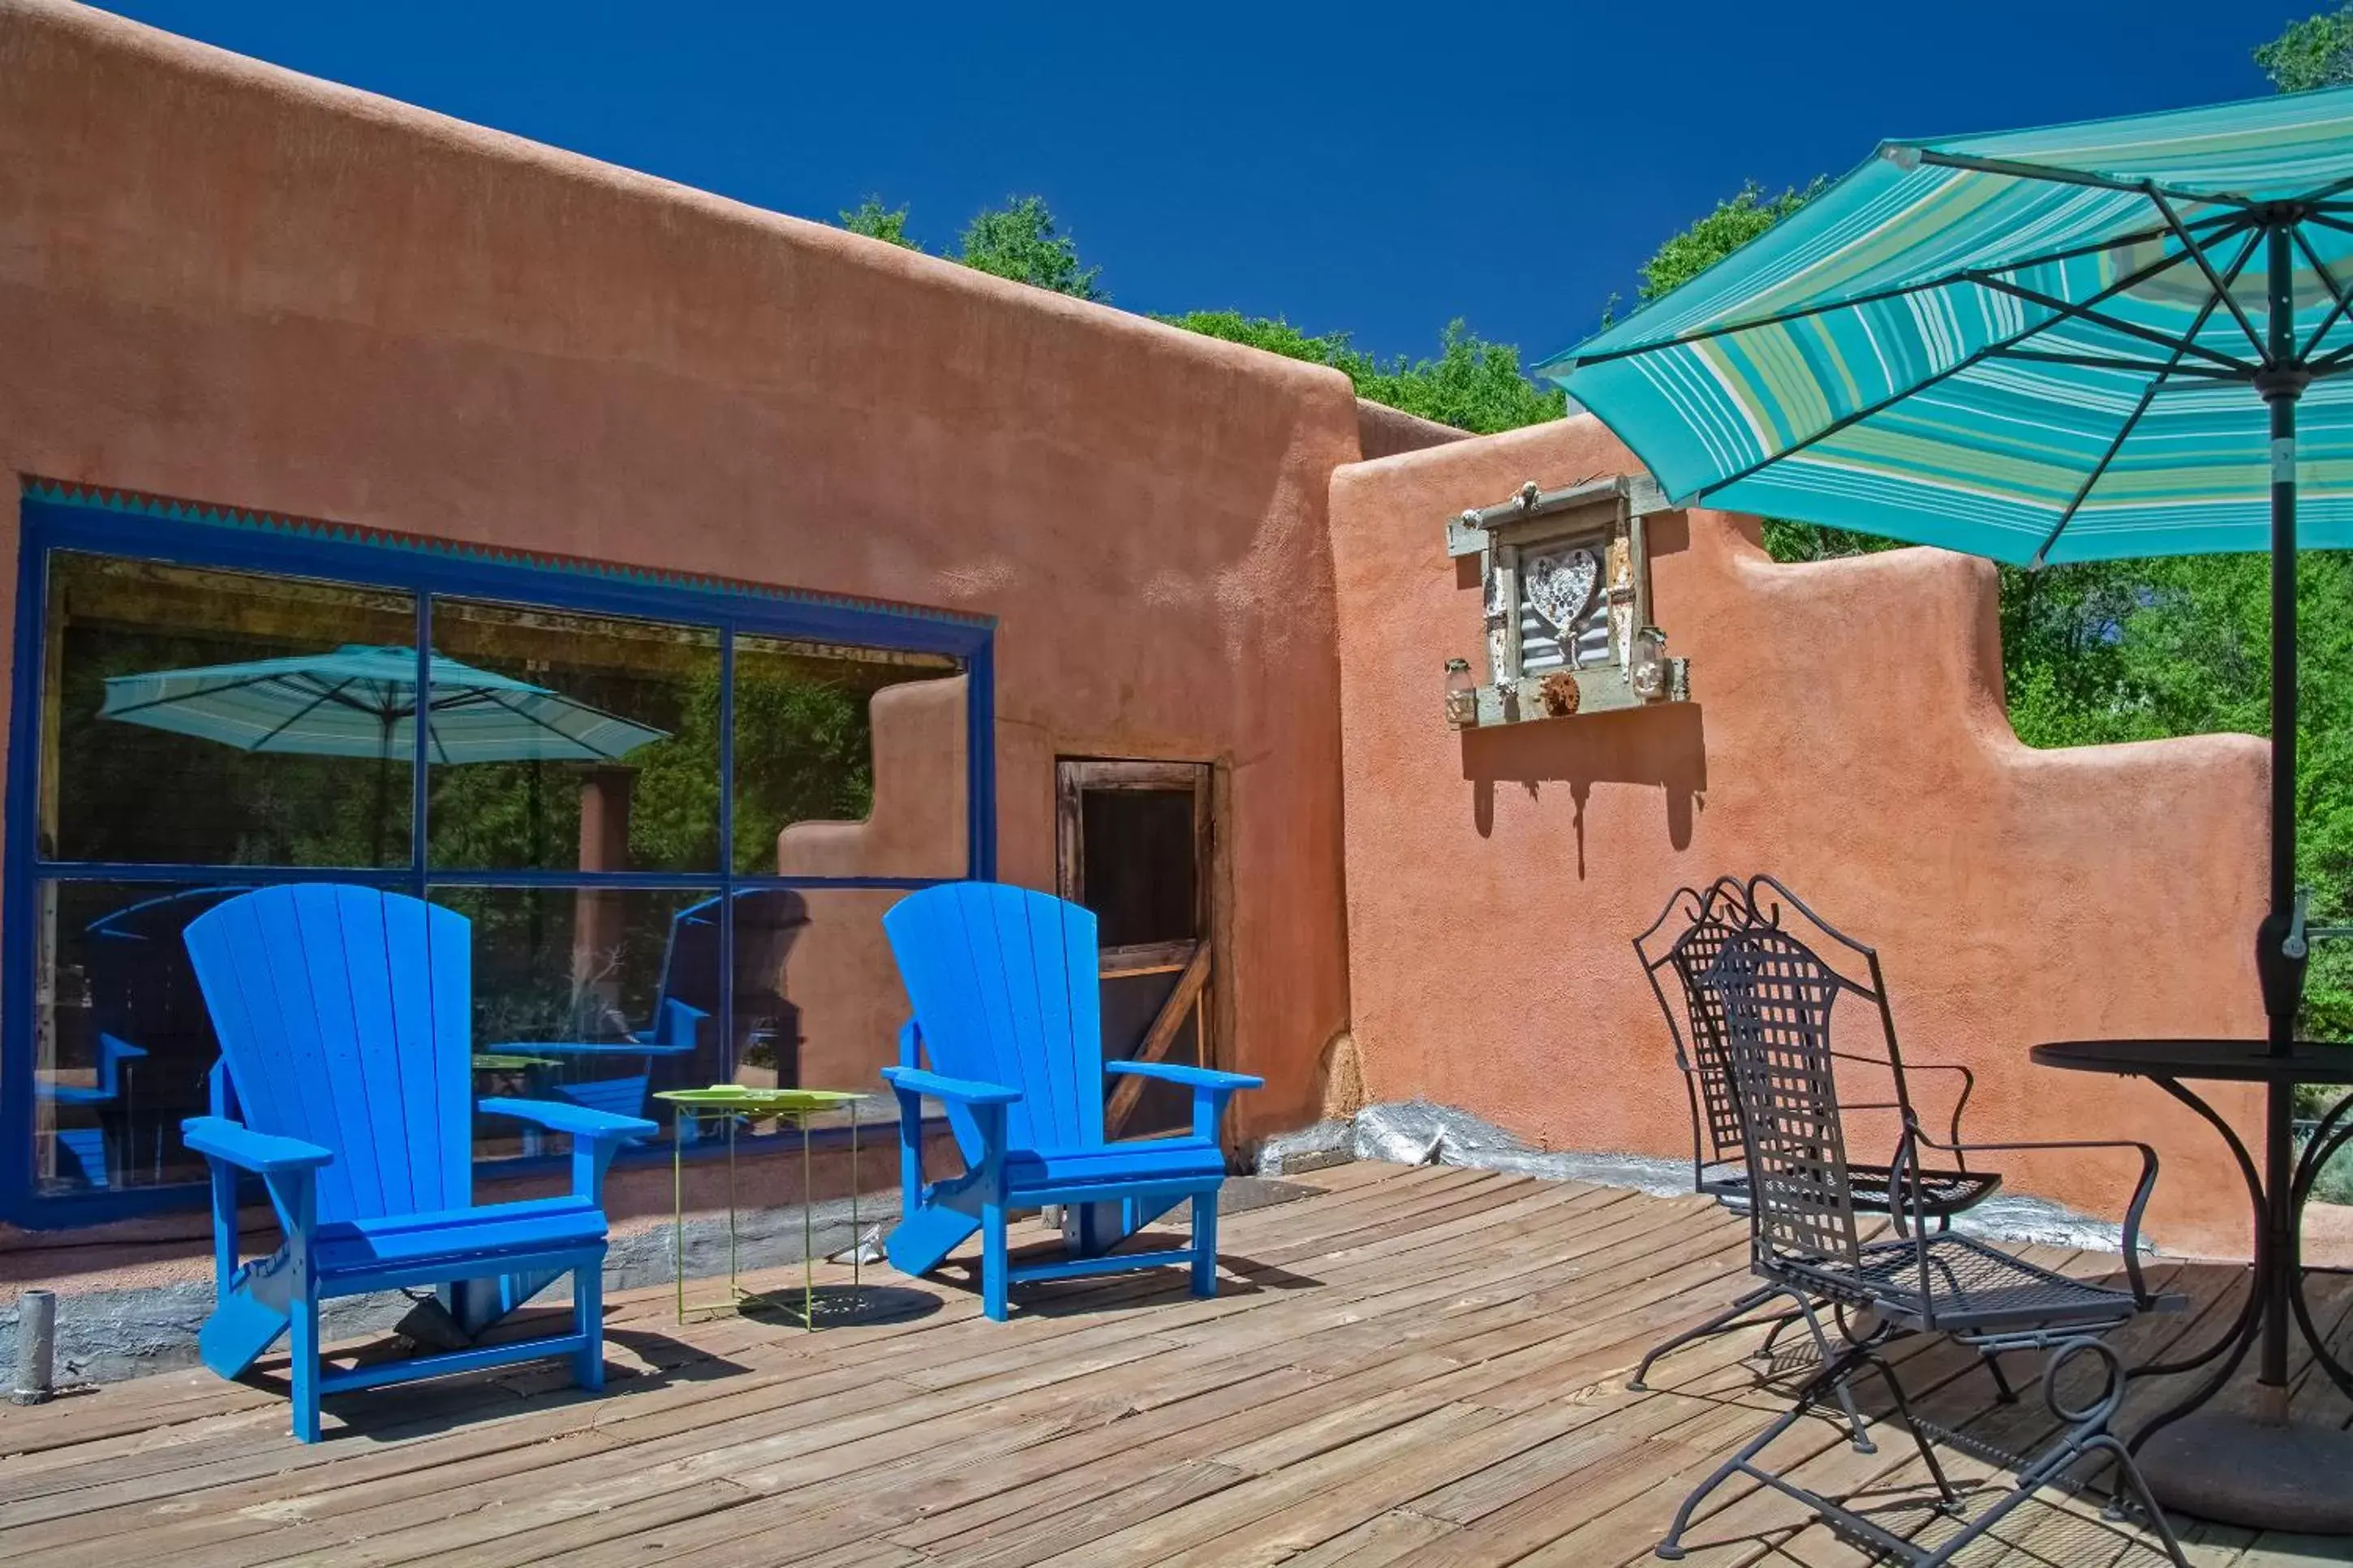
(1971, 1287)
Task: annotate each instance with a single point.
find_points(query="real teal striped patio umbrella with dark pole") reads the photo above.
(2065, 344)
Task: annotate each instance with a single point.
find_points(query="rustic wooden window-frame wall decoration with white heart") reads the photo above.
(1566, 589)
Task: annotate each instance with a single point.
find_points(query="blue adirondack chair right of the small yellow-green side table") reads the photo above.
(1008, 1014)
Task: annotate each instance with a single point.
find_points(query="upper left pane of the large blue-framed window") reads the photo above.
(229, 688)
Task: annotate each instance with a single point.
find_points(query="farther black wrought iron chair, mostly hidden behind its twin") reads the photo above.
(1702, 920)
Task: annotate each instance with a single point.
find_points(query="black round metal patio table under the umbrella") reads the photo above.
(2265, 1470)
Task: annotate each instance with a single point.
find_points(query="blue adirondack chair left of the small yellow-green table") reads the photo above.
(345, 1021)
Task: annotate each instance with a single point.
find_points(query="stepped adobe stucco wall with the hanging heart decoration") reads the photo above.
(1848, 735)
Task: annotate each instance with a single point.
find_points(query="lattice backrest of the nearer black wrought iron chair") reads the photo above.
(1778, 1005)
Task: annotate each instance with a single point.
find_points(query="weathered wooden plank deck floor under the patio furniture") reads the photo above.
(1413, 1367)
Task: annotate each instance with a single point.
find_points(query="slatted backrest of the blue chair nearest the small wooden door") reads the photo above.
(1006, 989)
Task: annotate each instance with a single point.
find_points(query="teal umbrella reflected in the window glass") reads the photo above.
(361, 702)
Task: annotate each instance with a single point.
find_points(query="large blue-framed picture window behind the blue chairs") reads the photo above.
(669, 812)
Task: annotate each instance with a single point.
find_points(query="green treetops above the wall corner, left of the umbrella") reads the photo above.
(1472, 384)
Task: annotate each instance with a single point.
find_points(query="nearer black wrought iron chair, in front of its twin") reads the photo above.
(1778, 1000)
